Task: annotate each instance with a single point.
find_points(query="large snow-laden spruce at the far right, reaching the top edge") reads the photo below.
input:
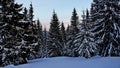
(106, 26)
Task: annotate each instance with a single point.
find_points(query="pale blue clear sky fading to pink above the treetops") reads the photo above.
(43, 9)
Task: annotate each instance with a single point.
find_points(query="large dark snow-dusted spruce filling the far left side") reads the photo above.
(11, 36)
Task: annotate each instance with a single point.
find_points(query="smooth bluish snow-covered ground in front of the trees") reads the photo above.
(68, 62)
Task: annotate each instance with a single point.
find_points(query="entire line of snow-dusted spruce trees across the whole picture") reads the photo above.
(22, 38)
